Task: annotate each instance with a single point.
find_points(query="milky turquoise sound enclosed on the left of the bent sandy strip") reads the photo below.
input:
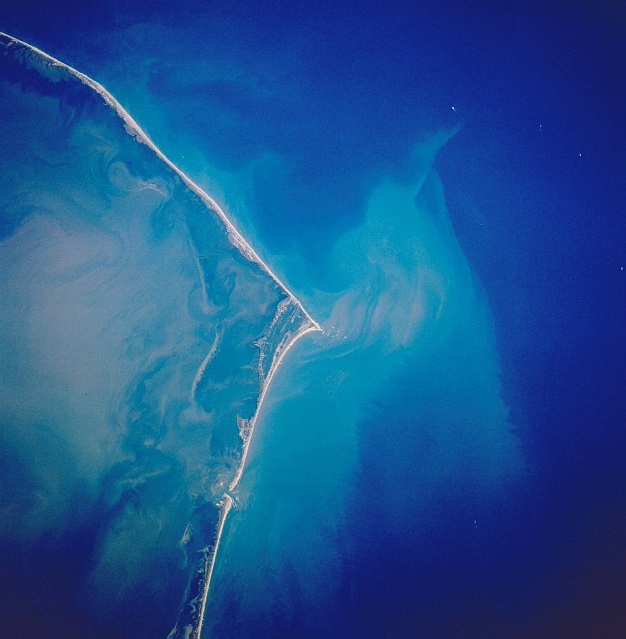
(137, 339)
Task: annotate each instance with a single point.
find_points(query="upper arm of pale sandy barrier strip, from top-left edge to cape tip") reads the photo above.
(236, 238)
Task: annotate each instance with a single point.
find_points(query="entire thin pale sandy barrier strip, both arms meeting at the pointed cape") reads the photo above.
(308, 326)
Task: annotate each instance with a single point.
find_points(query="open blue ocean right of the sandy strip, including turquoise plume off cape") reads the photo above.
(442, 186)
